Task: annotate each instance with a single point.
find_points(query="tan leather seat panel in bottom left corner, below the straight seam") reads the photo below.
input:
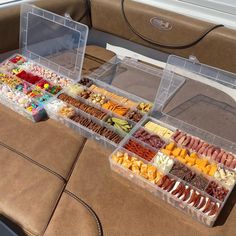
(29, 194)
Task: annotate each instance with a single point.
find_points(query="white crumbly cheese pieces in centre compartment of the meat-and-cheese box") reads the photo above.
(163, 162)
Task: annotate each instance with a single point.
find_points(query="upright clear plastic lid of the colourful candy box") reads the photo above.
(52, 40)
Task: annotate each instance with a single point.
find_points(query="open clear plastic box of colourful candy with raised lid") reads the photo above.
(52, 50)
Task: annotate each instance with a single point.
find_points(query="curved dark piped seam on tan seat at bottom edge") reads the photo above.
(90, 210)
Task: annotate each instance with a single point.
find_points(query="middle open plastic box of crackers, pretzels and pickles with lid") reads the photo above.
(120, 82)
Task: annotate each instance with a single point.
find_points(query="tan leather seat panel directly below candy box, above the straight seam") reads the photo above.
(49, 143)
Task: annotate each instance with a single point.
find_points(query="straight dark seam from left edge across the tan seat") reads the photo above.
(22, 155)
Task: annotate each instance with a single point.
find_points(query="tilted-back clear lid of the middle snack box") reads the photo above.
(135, 78)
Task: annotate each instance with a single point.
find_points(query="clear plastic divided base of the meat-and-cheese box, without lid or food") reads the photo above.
(174, 125)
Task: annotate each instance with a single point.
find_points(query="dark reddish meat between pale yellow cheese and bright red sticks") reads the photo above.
(151, 139)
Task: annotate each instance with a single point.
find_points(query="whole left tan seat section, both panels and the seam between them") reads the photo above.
(35, 159)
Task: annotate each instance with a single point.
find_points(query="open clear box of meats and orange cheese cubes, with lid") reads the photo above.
(189, 157)
